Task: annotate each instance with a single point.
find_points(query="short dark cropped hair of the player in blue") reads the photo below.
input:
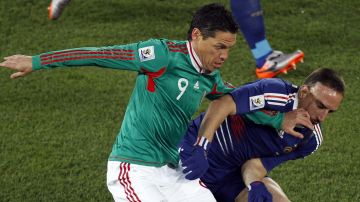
(327, 77)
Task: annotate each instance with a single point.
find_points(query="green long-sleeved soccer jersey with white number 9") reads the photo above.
(169, 88)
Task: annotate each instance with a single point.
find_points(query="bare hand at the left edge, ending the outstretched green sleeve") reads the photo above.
(20, 63)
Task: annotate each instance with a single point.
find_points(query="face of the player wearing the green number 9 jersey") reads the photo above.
(212, 51)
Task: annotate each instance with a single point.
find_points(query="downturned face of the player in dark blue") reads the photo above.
(319, 101)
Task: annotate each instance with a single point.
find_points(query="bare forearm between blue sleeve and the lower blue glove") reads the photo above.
(253, 170)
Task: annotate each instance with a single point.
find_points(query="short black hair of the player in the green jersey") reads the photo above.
(211, 18)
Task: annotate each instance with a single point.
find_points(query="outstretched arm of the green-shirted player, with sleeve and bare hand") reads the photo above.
(125, 57)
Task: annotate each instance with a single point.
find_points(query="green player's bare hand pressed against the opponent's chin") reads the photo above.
(295, 118)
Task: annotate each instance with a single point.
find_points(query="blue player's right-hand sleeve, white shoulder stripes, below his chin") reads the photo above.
(304, 149)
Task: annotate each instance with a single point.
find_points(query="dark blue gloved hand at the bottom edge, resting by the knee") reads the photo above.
(258, 192)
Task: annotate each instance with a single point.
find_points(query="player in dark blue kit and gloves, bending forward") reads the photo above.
(241, 152)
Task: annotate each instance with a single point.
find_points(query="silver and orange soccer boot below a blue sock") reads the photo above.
(279, 63)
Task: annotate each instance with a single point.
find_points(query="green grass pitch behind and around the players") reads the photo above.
(57, 127)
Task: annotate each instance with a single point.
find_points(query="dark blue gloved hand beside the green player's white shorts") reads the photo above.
(196, 166)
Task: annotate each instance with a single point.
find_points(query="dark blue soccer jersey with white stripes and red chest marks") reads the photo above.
(238, 139)
